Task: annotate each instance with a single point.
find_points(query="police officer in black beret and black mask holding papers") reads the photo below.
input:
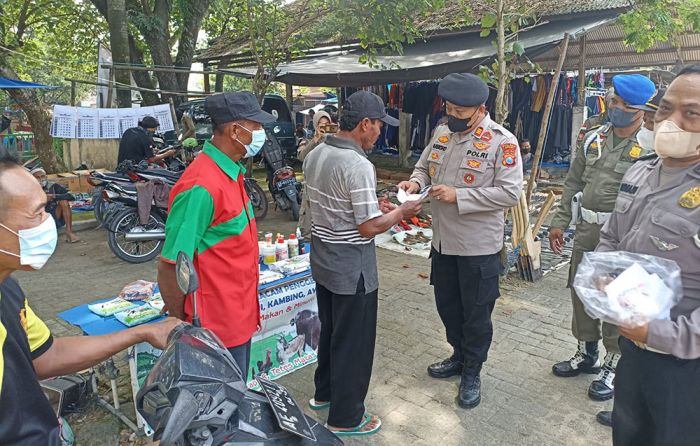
(473, 165)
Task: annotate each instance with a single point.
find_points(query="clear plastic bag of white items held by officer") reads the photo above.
(628, 289)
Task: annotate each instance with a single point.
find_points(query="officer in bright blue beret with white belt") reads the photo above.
(603, 157)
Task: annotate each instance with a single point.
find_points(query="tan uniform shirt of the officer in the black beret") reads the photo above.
(484, 167)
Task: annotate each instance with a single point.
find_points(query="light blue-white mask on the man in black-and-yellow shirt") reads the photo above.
(36, 245)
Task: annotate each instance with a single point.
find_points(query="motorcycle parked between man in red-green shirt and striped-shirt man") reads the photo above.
(282, 182)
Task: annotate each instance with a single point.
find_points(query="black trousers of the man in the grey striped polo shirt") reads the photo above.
(345, 352)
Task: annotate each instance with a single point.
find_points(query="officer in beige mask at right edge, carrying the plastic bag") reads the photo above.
(657, 212)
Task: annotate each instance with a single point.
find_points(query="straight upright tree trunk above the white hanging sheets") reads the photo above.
(119, 42)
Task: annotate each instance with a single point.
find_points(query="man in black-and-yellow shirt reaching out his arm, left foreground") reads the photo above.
(28, 352)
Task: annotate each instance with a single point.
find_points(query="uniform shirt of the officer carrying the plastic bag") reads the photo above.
(663, 221)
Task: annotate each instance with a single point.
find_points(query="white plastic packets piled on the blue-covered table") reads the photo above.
(138, 303)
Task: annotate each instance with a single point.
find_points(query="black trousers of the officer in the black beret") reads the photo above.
(466, 289)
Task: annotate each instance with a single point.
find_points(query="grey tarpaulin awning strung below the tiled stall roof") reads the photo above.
(429, 59)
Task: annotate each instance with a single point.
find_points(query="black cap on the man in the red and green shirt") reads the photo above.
(227, 107)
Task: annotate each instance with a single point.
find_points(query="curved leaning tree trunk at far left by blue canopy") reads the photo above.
(40, 120)
